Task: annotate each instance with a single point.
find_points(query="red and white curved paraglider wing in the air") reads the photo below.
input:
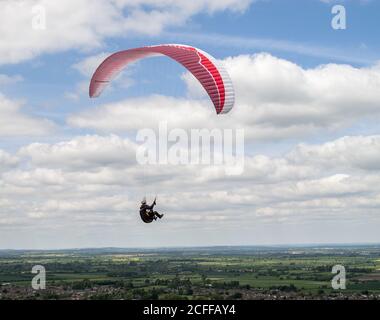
(213, 77)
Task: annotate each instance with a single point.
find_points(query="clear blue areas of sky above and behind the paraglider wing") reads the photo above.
(265, 26)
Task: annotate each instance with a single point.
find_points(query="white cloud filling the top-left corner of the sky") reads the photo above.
(31, 28)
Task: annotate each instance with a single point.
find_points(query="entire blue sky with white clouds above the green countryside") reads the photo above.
(307, 96)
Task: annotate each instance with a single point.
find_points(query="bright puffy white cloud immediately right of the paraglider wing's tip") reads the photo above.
(280, 94)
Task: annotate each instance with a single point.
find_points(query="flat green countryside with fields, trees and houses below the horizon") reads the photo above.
(216, 273)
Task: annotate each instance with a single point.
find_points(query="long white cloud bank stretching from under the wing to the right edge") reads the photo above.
(276, 99)
